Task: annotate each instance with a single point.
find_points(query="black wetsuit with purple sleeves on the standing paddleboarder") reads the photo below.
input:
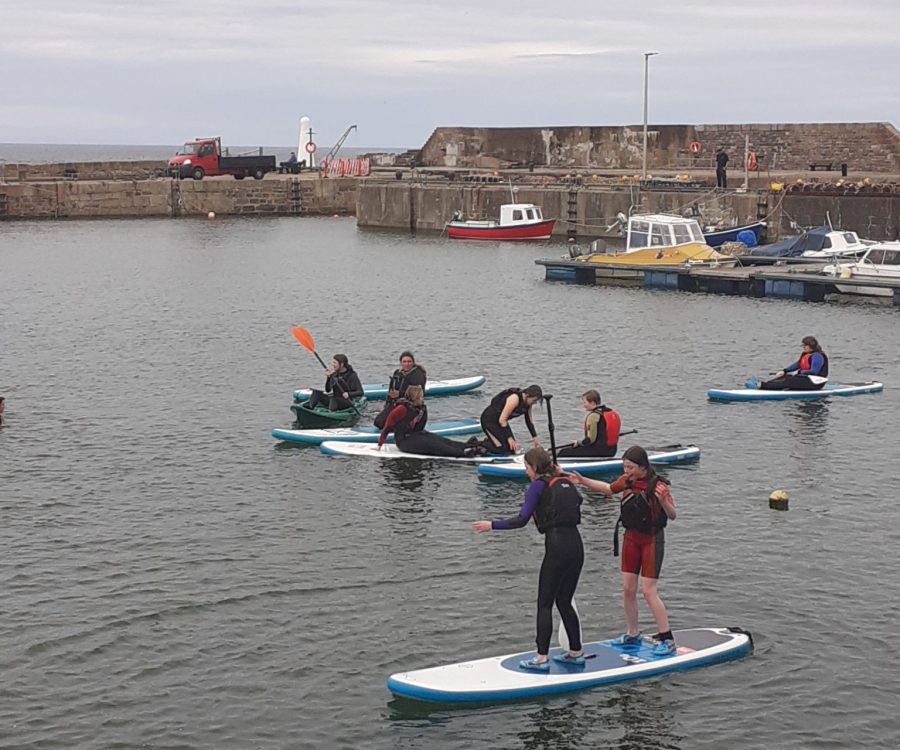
(557, 513)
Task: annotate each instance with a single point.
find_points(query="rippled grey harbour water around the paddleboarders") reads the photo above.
(172, 578)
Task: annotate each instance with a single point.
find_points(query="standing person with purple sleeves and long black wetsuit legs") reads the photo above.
(555, 504)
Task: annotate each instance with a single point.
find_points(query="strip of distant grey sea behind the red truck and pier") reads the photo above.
(52, 153)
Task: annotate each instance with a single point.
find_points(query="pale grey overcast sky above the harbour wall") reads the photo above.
(160, 71)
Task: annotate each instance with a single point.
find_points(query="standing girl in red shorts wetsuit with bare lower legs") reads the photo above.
(646, 507)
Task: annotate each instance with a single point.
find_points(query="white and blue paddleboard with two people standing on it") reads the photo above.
(501, 678)
